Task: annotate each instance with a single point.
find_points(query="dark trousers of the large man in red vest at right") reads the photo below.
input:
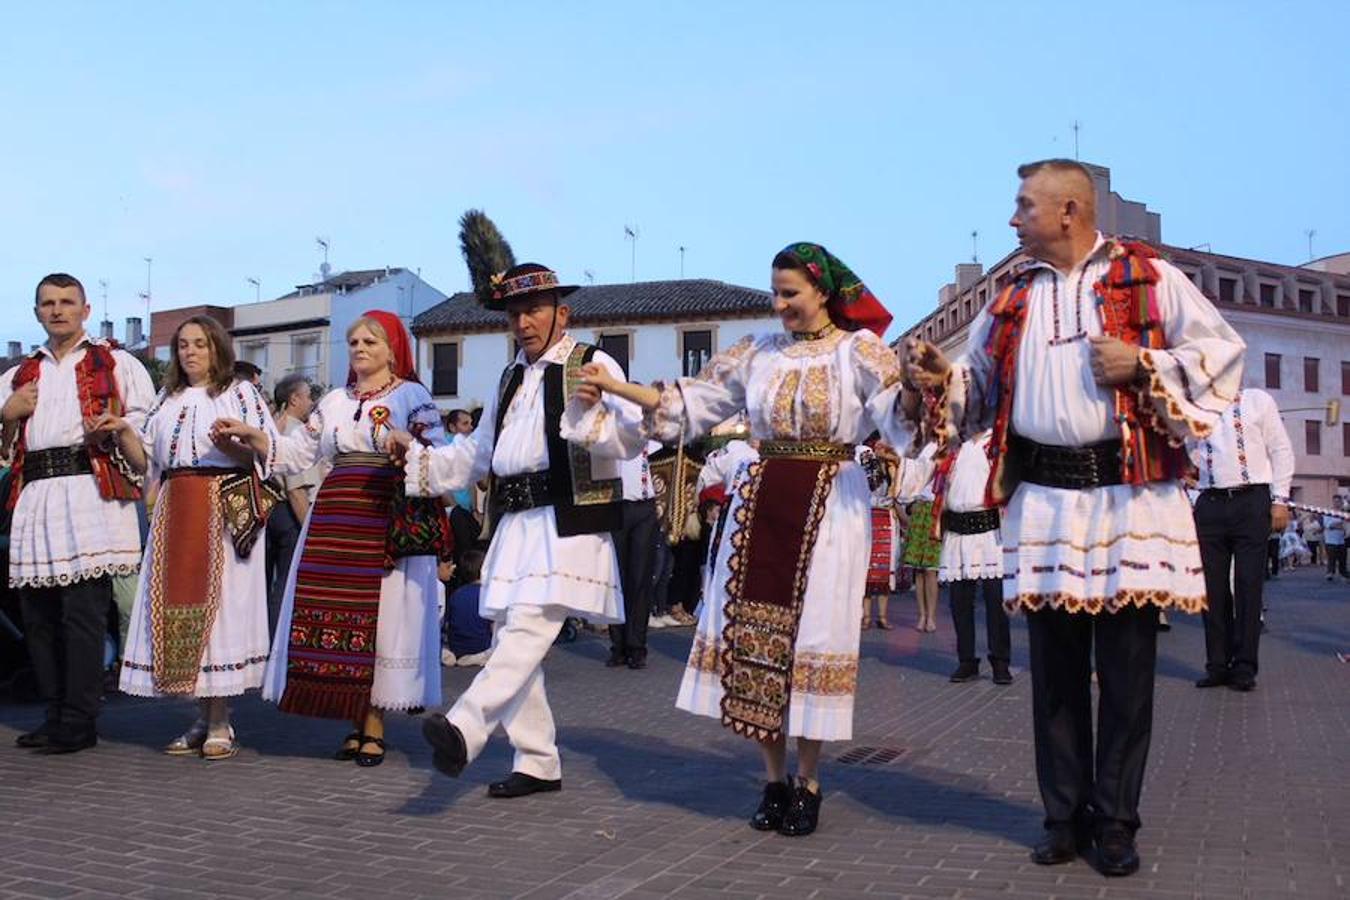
(1081, 787)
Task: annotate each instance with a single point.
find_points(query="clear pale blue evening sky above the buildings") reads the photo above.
(221, 140)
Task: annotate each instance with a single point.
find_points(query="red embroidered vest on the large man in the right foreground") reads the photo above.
(1128, 304)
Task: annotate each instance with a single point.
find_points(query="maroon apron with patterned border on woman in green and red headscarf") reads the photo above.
(773, 540)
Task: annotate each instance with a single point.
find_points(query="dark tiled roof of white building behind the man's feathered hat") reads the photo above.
(639, 302)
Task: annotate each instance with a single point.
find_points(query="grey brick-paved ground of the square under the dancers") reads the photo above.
(1247, 795)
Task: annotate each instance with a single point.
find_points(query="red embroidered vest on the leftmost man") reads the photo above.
(98, 387)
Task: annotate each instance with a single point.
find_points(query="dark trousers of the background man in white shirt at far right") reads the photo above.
(1233, 530)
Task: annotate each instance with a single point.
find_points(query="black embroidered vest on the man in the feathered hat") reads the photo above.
(583, 504)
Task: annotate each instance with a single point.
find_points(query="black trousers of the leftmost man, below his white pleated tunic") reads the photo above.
(65, 629)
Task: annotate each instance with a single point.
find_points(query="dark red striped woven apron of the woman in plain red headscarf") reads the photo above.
(331, 663)
